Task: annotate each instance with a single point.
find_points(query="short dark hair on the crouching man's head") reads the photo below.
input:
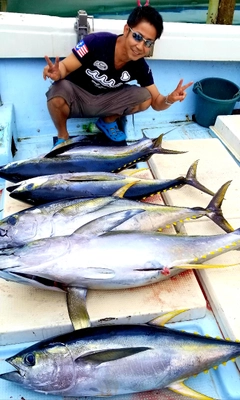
(149, 14)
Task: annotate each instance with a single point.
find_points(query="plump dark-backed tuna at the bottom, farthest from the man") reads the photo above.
(117, 360)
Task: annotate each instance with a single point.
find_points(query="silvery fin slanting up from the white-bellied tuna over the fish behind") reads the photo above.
(106, 223)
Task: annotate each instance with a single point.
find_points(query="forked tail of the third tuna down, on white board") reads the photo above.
(214, 211)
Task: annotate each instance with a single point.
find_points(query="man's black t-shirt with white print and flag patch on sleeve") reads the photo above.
(97, 73)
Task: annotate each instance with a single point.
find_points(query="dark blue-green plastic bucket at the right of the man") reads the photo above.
(216, 96)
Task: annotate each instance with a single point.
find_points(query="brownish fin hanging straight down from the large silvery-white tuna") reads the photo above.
(76, 303)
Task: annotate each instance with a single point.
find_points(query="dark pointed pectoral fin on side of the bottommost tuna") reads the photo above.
(99, 357)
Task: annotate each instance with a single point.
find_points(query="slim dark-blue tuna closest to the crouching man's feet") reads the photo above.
(84, 159)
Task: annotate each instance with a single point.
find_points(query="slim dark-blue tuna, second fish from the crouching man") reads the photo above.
(48, 188)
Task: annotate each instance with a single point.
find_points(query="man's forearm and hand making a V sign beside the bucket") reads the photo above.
(160, 102)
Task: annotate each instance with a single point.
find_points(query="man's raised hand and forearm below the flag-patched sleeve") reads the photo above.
(60, 69)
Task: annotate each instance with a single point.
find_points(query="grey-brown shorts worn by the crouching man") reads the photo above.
(85, 104)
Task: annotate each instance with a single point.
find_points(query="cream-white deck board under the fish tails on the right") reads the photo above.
(216, 166)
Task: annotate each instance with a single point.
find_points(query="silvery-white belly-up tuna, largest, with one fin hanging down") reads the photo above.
(95, 257)
